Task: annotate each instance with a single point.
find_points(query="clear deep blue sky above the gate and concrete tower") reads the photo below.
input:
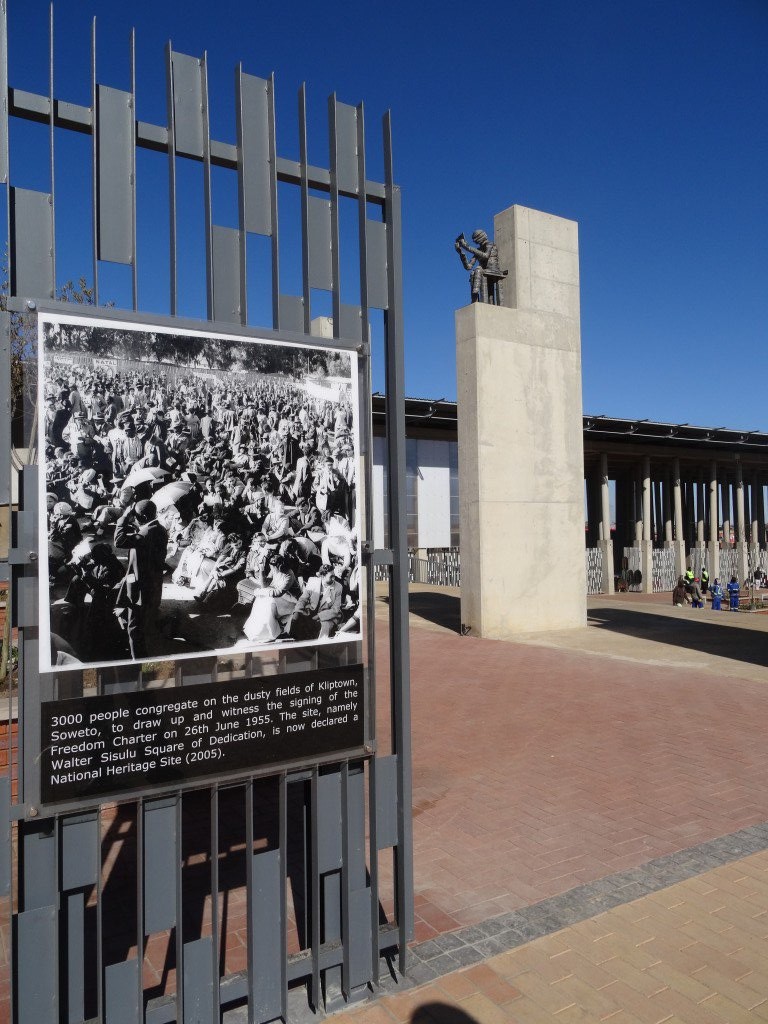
(647, 122)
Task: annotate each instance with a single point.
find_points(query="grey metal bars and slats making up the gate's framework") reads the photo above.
(36, 990)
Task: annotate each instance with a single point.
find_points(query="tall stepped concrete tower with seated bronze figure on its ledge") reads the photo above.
(521, 430)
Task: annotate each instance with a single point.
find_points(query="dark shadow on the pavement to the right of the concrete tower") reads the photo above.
(697, 632)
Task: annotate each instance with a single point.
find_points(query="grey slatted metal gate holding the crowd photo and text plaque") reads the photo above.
(266, 889)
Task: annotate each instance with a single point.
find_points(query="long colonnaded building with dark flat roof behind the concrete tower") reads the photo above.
(659, 497)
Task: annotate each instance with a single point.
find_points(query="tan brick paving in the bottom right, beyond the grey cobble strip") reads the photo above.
(695, 953)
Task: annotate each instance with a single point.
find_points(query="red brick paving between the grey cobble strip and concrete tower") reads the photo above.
(536, 771)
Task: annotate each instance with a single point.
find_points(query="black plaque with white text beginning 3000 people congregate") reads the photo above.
(105, 745)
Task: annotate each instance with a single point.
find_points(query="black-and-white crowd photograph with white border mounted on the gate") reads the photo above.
(200, 494)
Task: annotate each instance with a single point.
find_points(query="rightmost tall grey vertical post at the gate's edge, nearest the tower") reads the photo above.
(400, 652)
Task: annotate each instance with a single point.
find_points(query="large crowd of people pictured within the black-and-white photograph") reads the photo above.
(235, 494)
